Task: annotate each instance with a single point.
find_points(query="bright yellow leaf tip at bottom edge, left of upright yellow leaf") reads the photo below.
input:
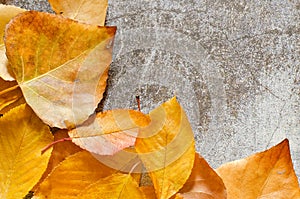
(116, 186)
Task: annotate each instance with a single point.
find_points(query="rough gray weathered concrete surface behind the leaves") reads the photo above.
(233, 64)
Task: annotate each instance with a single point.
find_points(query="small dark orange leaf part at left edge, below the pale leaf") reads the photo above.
(10, 95)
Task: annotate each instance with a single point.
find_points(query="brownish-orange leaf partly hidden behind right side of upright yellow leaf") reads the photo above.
(203, 183)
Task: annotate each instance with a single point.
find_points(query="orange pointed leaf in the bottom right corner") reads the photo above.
(267, 175)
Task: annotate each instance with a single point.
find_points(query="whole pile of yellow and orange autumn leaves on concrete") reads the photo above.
(53, 71)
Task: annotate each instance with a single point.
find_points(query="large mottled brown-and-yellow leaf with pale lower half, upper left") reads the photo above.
(60, 65)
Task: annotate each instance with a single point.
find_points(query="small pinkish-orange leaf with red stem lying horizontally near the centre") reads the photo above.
(110, 131)
